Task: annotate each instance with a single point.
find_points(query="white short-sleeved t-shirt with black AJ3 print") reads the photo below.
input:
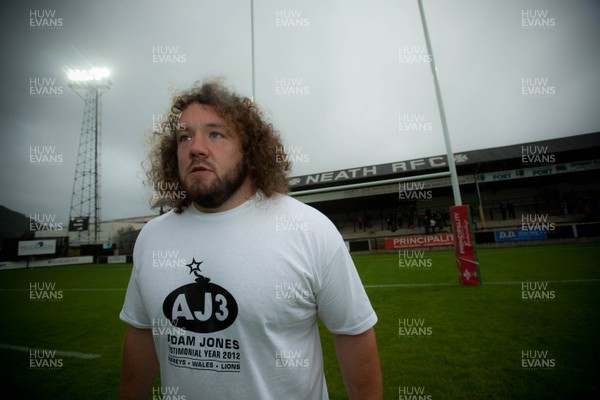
(232, 299)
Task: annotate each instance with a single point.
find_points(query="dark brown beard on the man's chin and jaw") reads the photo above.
(216, 193)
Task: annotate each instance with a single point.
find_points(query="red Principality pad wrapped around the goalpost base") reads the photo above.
(464, 246)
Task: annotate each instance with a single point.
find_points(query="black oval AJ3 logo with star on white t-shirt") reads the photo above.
(201, 307)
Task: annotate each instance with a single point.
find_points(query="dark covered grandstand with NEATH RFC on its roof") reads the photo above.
(512, 181)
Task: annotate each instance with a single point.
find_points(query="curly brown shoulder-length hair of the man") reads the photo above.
(264, 154)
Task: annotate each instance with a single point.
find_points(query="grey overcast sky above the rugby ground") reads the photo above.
(347, 83)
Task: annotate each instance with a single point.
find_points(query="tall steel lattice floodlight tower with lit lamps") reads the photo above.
(89, 85)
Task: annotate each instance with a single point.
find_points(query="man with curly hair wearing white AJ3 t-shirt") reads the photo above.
(227, 287)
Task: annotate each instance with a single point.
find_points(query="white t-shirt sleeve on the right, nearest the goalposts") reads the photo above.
(342, 302)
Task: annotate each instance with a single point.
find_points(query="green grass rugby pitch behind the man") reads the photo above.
(464, 343)
